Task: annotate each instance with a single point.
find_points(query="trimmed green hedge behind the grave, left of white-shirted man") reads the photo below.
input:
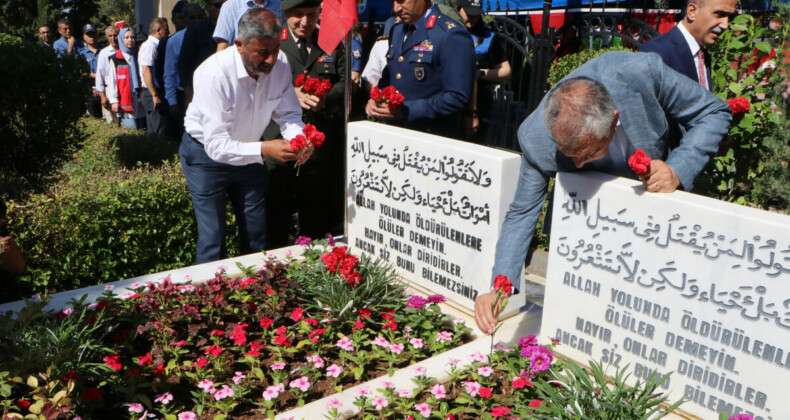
(105, 222)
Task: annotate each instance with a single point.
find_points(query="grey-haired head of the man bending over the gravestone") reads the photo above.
(577, 108)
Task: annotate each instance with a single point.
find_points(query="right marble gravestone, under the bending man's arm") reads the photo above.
(673, 283)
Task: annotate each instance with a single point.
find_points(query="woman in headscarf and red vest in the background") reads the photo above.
(123, 86)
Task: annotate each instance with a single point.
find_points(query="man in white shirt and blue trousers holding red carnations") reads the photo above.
(237, 92)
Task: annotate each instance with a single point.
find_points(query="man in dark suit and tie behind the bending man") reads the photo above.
(683, 47)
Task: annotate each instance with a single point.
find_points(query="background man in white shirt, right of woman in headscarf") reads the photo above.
(150, 98)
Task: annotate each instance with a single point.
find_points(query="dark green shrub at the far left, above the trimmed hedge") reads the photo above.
(40, 110)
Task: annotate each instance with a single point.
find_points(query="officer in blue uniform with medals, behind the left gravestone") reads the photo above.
(431, 61)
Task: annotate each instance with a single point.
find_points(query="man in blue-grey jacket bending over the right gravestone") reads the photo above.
(594, 119)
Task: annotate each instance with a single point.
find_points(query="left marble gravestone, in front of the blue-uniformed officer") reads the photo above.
(430, 206)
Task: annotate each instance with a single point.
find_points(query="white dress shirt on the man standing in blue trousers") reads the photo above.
(230, 109)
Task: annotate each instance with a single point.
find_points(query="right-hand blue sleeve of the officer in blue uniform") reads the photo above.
(457, 58)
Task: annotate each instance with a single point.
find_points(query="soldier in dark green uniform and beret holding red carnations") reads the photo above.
(317, 194)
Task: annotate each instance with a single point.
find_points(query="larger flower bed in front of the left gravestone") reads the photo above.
(238, 348)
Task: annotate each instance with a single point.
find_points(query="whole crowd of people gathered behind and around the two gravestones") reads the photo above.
(231, 84)
